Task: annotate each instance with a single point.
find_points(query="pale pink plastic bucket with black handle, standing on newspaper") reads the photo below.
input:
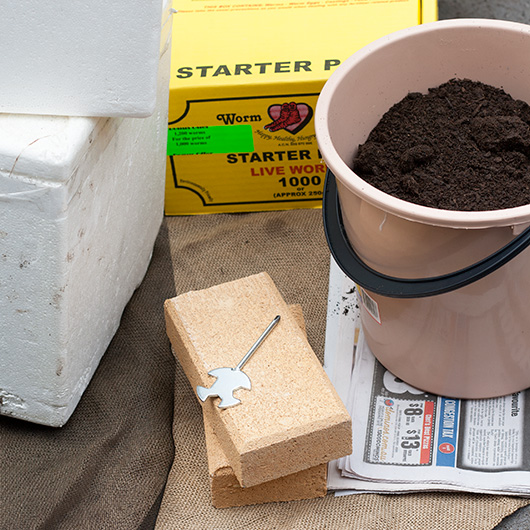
(446, 293)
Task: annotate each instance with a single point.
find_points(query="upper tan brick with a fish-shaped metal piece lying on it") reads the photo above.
(292, 419)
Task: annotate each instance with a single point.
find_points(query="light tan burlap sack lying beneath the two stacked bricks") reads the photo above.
(291, 247)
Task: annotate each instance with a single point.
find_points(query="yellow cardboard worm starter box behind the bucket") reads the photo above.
(245, 80)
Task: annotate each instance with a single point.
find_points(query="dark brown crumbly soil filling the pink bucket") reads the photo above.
(463, 146)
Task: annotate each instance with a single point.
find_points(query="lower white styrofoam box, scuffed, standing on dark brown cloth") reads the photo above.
(81, 203)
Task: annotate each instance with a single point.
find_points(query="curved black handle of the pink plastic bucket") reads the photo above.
(371, 280)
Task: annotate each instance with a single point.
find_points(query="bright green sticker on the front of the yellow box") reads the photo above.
(210, 140)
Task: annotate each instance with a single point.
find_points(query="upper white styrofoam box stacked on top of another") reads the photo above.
(79, 58)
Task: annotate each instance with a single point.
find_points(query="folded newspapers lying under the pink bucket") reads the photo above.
(408, 440)
